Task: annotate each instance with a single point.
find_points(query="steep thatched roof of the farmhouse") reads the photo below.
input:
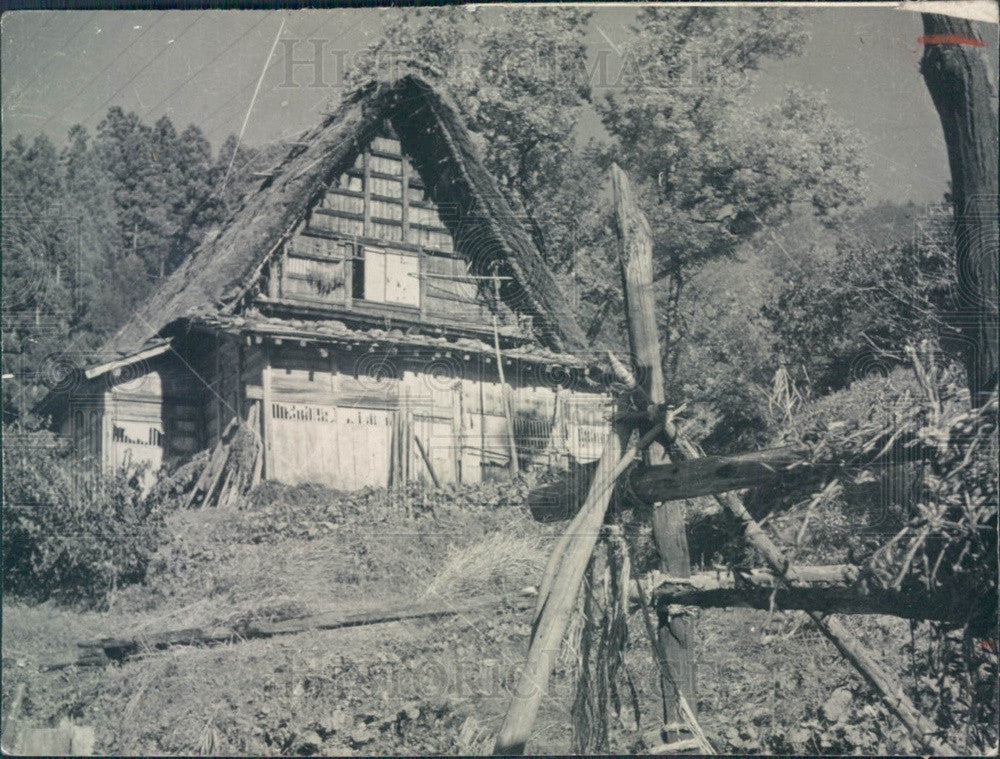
(219, 273)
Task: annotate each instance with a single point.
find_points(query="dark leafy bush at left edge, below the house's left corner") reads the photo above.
(68, 532)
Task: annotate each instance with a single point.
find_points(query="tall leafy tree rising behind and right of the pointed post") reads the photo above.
(714, 167)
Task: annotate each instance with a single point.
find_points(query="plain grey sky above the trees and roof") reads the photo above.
(59, 68)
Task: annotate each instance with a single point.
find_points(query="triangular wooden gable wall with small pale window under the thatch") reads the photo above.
(378, 242)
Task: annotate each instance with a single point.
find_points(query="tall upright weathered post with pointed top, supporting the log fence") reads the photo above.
(635, 255)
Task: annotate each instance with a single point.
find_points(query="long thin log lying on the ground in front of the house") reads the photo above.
(105, 650)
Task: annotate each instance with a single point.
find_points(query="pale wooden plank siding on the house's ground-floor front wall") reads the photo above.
(334, 419)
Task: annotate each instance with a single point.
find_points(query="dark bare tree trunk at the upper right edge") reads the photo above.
(957, 79)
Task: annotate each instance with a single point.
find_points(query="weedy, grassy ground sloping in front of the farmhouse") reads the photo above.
(767, 683)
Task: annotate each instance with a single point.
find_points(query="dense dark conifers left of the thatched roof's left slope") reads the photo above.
(90, 229)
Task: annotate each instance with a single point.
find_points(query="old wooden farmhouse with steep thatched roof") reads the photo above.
(376, 309)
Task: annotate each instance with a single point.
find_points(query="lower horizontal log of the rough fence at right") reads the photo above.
(825, 589)
